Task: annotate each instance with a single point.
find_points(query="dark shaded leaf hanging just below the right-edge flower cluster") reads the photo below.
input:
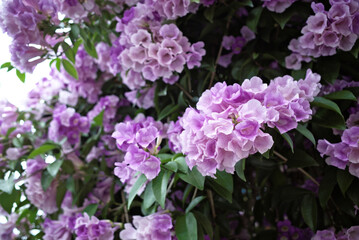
(327, 186)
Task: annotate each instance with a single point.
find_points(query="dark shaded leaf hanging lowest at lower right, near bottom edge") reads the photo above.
(309, 211)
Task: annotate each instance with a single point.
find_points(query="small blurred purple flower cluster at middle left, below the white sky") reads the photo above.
(67, 123)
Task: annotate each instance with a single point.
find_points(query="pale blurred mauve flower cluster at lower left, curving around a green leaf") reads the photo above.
(44, 200)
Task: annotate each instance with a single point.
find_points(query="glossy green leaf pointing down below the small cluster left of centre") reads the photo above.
(159, 187)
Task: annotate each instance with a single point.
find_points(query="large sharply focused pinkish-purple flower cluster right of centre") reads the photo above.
(228, 125)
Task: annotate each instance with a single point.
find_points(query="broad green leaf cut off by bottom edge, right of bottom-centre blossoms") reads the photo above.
(186, 227)
